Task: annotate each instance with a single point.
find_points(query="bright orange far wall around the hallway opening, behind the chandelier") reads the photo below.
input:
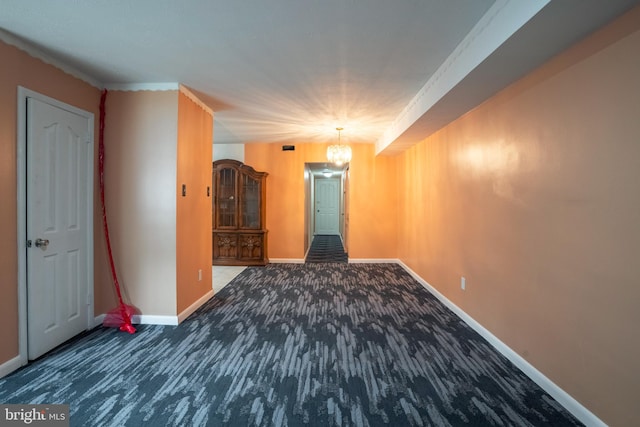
(372, 198)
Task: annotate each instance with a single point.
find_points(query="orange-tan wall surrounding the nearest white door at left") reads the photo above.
(18, 68)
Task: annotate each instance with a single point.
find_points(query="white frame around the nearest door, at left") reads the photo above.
(21, 167)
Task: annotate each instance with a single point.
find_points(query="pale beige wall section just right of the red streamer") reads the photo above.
(140, 174)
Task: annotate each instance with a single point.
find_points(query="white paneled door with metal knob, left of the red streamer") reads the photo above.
(59, 223)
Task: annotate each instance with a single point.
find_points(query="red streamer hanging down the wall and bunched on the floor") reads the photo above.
(120, 317)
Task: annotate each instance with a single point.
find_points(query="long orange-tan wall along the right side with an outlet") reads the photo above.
(533, 197)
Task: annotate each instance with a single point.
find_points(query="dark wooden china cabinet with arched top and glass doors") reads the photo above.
(239, 234)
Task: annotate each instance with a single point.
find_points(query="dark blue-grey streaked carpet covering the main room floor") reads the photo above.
(293, 345)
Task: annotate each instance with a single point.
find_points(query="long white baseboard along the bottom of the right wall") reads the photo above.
(570, 404)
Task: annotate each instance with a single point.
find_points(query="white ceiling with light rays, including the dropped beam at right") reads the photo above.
(389, 72)
